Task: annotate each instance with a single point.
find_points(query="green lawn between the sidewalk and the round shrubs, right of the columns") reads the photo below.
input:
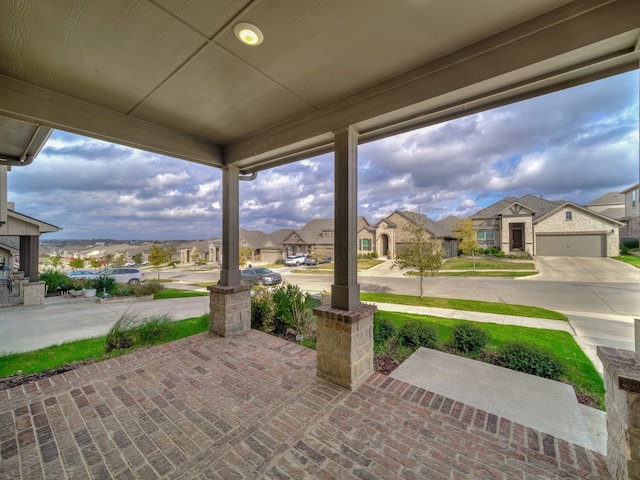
(579, 371)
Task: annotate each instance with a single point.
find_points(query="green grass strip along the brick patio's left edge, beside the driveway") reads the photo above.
(90, 348)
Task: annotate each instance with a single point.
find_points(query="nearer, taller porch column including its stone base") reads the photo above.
(344, 338)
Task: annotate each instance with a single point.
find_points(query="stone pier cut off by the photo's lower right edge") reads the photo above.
(622, 399)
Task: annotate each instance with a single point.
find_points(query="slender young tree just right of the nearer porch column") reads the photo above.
(422, 253)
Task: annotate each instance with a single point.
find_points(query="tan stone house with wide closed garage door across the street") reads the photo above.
(546, 228)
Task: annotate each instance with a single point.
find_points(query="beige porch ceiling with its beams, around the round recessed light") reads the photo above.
(169, 76)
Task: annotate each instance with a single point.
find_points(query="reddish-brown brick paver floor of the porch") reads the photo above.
(251, 406)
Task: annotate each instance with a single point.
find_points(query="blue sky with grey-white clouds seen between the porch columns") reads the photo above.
(576, 145)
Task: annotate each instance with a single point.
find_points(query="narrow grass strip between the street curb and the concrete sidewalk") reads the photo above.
(466, 305)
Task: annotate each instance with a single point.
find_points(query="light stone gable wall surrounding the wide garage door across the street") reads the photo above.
(581, 223)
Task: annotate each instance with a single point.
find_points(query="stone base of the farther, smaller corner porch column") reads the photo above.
(229, 309)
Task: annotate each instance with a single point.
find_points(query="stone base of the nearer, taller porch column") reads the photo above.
(344, 344)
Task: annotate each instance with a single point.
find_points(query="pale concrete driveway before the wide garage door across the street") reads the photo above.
(585, 269)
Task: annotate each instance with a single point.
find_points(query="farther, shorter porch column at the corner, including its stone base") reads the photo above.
(230, 301)
